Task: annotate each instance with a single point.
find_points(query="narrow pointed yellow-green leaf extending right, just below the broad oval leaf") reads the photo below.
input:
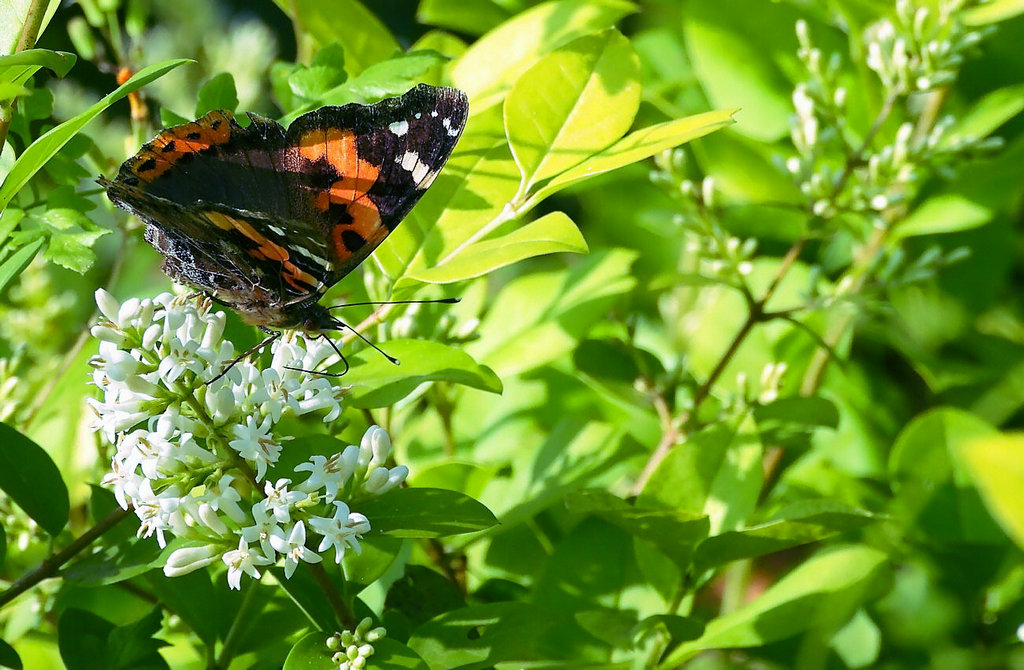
(635, 147)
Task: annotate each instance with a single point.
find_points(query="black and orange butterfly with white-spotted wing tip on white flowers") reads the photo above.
(267, 220)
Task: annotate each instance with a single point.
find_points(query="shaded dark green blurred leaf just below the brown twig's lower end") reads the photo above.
(675, 532)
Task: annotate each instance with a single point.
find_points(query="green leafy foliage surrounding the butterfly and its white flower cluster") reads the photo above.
(752, 403)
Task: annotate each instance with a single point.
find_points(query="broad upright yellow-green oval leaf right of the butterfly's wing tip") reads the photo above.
(574, 103)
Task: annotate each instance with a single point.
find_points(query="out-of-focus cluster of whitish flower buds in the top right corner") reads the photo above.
(917, 52)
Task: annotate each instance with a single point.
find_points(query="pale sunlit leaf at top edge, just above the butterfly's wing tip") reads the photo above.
(513, 48)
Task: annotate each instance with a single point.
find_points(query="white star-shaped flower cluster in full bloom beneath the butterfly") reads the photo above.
(192, 454)
